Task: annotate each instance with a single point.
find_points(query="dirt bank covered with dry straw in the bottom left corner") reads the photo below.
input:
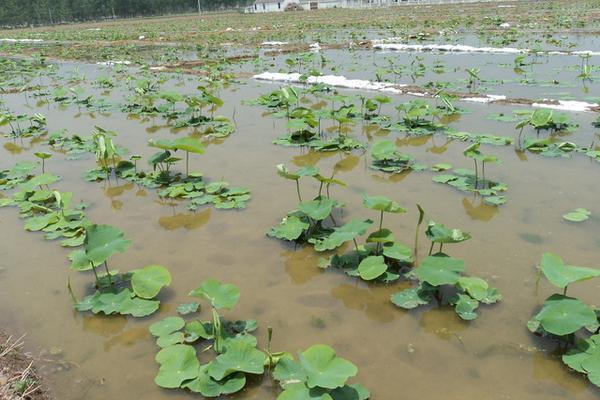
(18, 377)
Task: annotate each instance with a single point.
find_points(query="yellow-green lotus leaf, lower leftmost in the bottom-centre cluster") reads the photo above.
(178, 363)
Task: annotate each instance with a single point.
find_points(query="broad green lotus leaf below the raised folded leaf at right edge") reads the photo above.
(562, 315)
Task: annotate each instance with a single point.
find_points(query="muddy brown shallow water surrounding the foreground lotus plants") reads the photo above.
(422, 354)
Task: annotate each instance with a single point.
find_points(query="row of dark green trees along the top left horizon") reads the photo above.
(41, 12)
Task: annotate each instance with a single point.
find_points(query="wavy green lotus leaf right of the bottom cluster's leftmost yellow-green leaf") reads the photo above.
(240, 356)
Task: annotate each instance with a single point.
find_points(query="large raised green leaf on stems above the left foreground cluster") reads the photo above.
(102, 241)
